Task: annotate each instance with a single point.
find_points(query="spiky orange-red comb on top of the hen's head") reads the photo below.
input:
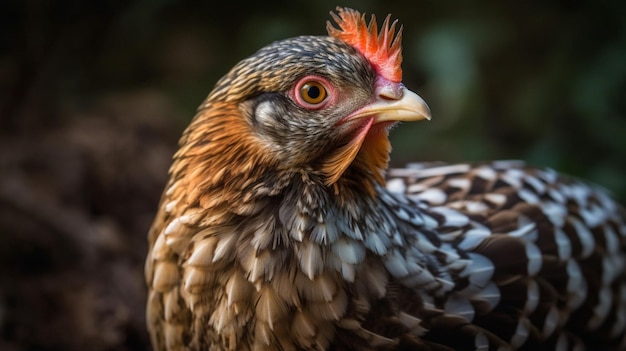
(383, 50)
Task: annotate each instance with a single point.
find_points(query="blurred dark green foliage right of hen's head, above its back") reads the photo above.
(540, 81)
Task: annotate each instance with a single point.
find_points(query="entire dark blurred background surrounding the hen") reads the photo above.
(94, 95)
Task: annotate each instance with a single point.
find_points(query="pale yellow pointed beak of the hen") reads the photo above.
(404, 105)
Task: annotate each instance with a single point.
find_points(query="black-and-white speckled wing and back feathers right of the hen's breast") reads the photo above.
(552, 249)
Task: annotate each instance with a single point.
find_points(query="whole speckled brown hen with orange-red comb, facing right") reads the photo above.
(281, 227)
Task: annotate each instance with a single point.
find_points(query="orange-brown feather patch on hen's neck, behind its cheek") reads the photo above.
(220, 162)
